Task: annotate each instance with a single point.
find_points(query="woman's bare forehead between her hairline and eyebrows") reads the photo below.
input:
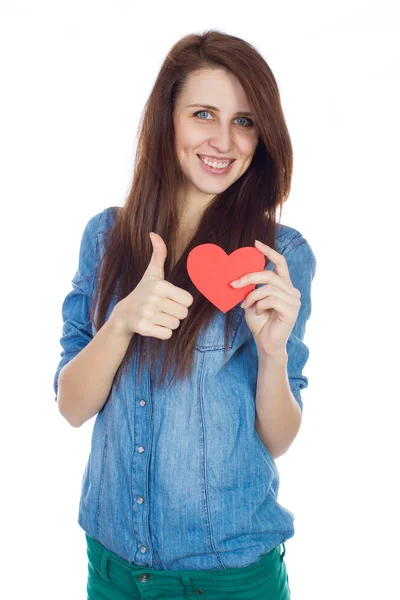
(216, 87)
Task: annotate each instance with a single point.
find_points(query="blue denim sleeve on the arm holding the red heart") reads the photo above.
(302, 264)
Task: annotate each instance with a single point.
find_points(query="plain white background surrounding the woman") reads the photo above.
(75, 77)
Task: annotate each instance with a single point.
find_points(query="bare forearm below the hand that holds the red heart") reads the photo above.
(278, 415)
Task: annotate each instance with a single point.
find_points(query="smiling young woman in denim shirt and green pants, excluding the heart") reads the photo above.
(193, 405)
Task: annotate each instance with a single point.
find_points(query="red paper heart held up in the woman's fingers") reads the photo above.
(211, 270)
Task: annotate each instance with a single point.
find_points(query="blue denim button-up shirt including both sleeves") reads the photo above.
(179, 478)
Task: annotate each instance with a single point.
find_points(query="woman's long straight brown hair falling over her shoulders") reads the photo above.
(245, 211)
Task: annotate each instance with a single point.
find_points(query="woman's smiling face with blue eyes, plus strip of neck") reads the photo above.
(223, 132)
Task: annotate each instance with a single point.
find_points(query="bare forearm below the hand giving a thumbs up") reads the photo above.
(85, 382)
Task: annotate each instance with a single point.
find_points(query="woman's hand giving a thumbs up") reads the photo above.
(155, 307)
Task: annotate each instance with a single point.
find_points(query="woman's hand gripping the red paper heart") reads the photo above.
(271, 310)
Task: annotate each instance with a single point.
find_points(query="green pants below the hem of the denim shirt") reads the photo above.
(112, 578)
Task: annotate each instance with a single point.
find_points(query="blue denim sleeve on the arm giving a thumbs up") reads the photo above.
(75, 310)
